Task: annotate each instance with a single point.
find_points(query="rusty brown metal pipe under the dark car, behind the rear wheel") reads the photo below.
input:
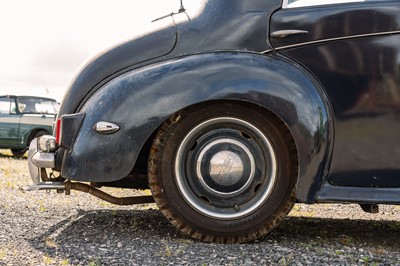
(104, 196)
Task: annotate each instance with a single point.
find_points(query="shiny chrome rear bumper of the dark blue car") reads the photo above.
(38, 160)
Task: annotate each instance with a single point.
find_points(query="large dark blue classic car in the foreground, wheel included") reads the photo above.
(233, 112)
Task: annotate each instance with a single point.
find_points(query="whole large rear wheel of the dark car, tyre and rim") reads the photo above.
(223, 172)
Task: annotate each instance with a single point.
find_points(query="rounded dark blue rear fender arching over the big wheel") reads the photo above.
(141, 100)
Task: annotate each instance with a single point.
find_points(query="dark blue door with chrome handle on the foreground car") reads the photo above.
(353, 49)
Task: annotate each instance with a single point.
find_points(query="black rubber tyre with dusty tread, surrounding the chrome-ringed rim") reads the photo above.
(181, 213)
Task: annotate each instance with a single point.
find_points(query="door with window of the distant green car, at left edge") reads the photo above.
(9, 122)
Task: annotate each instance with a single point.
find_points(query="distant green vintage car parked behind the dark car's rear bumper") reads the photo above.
(22, 118)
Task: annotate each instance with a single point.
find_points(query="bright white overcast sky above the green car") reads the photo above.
(44, 42)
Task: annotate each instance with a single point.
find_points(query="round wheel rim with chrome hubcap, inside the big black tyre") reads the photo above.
(225, 168)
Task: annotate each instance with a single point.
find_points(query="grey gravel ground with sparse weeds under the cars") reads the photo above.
(39, 228)
